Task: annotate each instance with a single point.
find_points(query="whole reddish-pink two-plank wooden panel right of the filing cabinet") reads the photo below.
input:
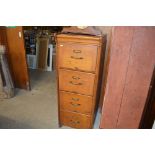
(130, 71)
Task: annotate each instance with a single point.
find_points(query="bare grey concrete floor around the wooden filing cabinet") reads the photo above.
(35, 109)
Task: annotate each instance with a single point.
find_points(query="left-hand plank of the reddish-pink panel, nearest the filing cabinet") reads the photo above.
(119, 57)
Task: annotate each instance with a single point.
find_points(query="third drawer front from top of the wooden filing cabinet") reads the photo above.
(76, 103)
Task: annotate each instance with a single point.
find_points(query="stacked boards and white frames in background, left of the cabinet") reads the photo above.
(39, 50)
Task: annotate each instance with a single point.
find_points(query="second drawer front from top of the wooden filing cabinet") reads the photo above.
(77, 82)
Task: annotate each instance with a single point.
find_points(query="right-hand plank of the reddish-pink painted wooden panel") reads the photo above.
(140, 70)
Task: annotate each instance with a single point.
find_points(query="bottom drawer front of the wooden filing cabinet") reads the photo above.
(75, 120)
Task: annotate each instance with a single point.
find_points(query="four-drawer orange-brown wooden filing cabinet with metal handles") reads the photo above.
(79, 65)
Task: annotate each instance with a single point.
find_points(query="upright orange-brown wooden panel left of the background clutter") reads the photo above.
(17, 57)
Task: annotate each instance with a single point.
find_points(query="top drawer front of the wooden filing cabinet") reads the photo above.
(77, 56)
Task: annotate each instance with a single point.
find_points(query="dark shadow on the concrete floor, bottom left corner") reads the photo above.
(6, 123)
